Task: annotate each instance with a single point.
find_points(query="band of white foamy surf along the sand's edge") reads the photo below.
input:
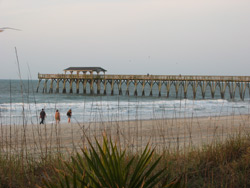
(103, 110)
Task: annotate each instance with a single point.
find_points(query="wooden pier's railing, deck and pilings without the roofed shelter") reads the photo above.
(95, 81)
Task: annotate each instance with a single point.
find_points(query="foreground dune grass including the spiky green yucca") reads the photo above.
(107, 165)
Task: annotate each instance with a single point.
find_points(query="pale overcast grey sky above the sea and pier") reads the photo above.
(188, 37)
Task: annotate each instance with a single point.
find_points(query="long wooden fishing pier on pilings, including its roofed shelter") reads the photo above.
(94, 81)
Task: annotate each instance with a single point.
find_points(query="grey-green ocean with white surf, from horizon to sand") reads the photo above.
(21, 104)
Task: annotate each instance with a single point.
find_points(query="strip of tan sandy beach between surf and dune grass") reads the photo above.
(174, 134)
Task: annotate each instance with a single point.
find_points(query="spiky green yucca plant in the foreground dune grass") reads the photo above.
(108, 166)
